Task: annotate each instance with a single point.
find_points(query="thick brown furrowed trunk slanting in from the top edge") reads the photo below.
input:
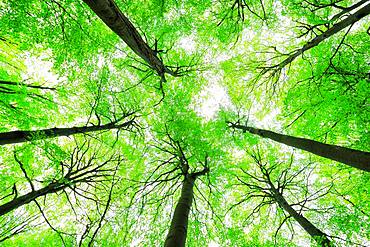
(111, 15)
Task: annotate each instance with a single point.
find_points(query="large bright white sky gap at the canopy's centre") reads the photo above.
(210, 100)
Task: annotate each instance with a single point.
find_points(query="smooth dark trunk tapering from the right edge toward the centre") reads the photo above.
(348, 156)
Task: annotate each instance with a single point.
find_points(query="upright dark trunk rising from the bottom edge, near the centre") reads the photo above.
(176, 236)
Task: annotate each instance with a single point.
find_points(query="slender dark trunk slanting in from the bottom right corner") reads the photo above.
(315, 233)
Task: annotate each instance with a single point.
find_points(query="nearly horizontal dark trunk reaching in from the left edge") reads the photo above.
(19, 136)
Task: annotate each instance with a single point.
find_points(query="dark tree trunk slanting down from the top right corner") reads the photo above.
(361, 13)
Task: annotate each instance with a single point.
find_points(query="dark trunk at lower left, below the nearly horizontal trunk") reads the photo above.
(29, 197)
